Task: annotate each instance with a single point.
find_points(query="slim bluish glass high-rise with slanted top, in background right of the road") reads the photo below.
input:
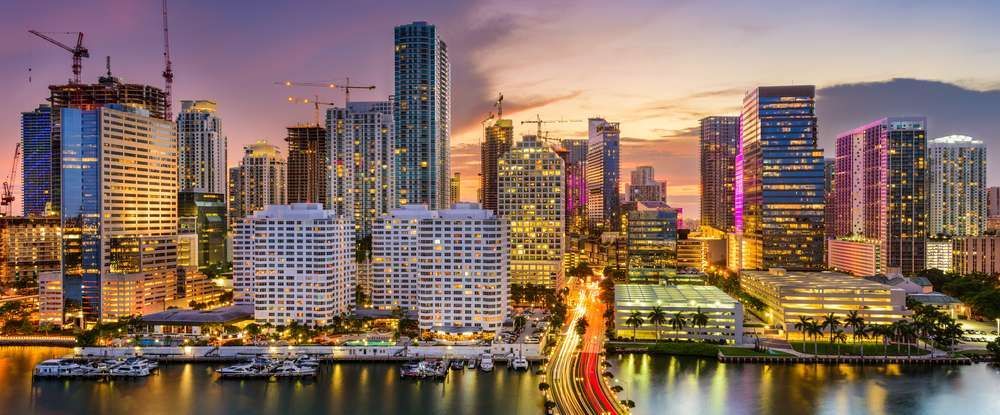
(603, 204)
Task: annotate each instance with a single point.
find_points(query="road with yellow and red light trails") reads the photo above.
(576, 383)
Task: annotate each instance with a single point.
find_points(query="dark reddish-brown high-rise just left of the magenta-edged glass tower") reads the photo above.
(719, 143)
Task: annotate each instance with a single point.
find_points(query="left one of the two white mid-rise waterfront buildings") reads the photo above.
(294, 263)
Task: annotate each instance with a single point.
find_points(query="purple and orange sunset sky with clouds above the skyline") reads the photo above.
(655, 66)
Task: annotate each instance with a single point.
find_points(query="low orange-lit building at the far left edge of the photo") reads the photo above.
(29, 246)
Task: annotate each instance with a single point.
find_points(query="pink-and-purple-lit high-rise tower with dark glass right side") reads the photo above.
(880, 194)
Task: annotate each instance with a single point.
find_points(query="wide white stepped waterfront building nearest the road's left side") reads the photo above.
(451, 266)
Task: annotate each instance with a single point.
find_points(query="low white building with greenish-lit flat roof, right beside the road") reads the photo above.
(725, 315)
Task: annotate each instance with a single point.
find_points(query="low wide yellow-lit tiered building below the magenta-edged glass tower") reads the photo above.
(789, 295)
